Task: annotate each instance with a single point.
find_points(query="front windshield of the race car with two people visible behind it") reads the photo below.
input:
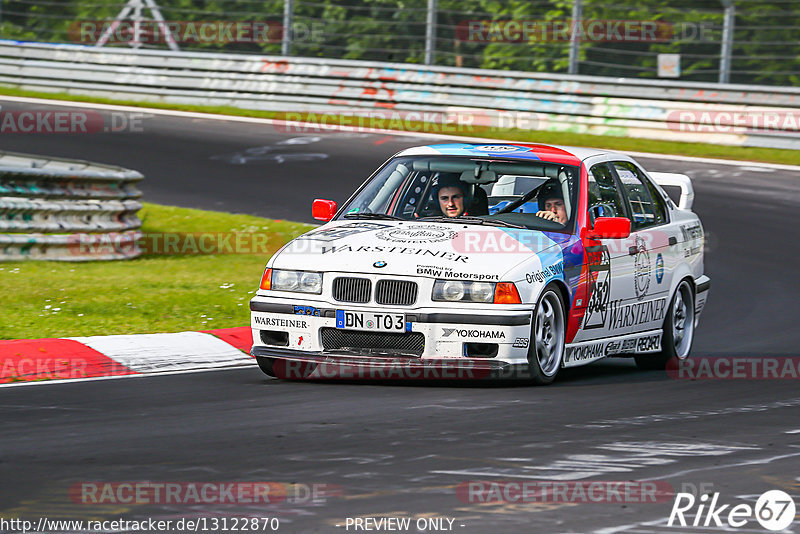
(528, 194)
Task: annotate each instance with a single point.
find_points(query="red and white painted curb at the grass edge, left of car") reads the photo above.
(35, 360)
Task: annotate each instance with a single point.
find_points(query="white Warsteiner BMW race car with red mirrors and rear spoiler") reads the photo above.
(493, 258)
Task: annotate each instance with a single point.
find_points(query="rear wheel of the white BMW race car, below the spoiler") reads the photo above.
(676, 343)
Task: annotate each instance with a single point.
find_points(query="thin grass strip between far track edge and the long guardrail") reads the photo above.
(768, 155)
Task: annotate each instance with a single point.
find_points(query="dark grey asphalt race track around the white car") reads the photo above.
(402, 450)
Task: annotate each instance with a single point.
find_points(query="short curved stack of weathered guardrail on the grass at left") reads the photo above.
(50, 208)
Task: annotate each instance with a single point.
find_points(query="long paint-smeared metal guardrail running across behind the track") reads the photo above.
(667, 110)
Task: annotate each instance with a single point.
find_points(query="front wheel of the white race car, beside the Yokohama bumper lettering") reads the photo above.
(548, 335)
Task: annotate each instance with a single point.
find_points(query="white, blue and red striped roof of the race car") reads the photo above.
(521, 151)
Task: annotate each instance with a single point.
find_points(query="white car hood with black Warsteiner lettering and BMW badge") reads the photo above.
(470, 252)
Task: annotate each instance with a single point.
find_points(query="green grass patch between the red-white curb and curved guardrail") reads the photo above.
(155, 293)
